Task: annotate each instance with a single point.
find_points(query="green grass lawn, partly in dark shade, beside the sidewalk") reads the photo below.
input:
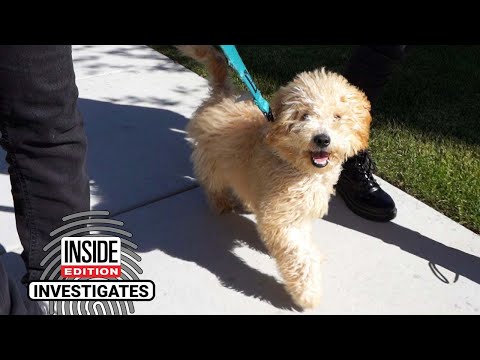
(426, 130)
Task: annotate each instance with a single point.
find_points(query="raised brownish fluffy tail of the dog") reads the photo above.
(215, 63)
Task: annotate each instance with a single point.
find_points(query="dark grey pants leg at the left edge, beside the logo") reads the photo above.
(43, 134)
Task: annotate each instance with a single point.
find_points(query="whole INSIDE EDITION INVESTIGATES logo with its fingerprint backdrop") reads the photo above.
(88, 275)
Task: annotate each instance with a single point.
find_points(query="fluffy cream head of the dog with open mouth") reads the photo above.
(320, 121)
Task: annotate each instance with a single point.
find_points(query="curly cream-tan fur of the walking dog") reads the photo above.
(268, 166)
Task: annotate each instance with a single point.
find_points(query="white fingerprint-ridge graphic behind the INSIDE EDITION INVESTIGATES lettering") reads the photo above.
(91, 223)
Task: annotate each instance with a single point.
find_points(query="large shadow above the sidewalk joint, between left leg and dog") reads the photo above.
(135, 154)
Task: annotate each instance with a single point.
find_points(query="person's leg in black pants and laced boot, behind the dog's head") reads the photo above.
(370, 68)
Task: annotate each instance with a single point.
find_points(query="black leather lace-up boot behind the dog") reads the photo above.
(361, 192)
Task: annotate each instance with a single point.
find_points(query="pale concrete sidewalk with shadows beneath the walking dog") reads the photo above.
(136, 103)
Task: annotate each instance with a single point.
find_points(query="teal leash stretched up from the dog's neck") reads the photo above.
(236, 63)
